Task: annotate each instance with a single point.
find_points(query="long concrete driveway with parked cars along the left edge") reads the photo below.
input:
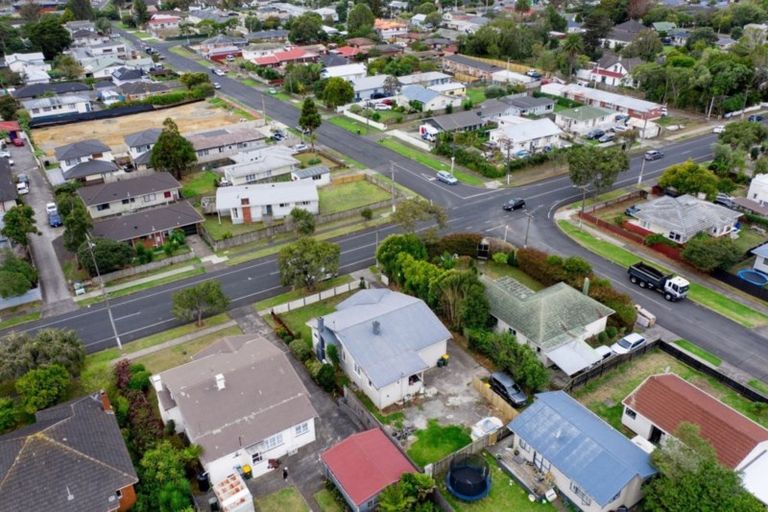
(56, 296)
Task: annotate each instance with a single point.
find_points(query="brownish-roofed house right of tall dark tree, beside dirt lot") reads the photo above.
(227, 141)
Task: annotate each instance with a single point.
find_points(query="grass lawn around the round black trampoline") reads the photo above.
(506, 494)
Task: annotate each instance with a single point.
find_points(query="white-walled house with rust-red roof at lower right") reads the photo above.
(661, 403)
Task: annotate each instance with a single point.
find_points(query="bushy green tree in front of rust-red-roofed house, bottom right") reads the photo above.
(690, 478)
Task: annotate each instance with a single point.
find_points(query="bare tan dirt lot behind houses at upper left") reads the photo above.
(190, 117)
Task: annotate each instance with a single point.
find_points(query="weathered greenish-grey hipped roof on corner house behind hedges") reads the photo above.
(548, 318)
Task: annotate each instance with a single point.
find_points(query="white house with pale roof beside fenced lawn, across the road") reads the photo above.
(245, 204)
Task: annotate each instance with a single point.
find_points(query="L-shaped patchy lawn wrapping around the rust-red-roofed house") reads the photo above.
(604, 395)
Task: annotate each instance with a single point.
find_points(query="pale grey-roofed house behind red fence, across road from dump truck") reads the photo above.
(682, 218)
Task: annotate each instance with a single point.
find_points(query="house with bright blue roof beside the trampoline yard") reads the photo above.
(591, 464)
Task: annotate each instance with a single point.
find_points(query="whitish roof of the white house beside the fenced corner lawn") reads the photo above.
(266, 193)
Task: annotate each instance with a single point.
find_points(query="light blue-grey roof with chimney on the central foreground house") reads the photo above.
(405, 326)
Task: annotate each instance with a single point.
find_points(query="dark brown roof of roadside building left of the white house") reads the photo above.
(146, 222)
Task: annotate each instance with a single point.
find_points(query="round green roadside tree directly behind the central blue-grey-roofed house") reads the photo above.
(307, 261)
